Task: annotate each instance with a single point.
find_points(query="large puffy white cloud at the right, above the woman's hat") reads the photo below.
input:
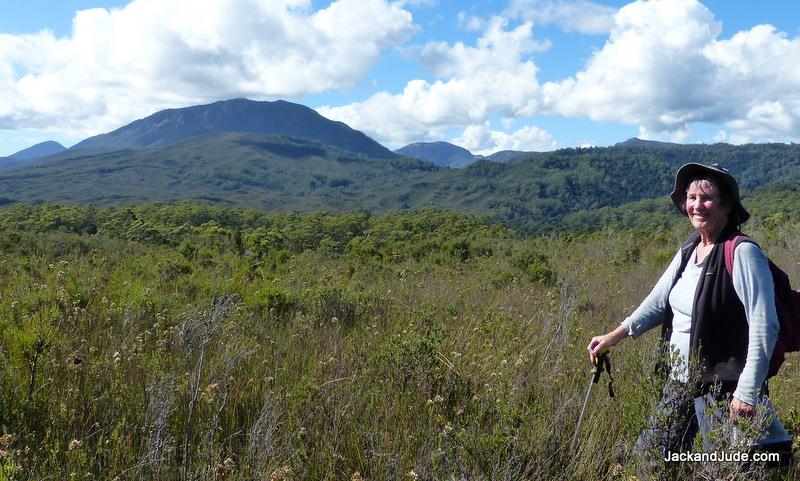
(664, 68)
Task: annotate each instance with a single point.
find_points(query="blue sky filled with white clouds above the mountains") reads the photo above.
(486, 75)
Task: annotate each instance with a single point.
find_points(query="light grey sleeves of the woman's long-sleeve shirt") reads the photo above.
(752, 281)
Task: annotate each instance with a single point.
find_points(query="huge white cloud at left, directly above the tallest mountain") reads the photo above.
(121, 64)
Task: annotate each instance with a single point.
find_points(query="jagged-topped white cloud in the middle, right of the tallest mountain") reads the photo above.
(493, 77)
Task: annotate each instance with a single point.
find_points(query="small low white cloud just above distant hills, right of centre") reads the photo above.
(481, 139)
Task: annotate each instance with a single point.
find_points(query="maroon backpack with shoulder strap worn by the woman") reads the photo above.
(787, 305)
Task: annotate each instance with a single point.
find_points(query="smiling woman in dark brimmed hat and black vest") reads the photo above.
(727, 323)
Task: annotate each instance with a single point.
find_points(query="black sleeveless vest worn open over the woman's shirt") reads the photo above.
(719, 331)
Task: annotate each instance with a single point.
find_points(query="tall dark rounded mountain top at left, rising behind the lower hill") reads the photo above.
(239, 115)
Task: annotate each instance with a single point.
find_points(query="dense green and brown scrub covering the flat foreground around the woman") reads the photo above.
(188, 342)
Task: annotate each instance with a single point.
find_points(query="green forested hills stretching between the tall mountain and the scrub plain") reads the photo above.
(537, 194)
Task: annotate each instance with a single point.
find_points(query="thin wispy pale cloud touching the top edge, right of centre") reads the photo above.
(572, 15)
